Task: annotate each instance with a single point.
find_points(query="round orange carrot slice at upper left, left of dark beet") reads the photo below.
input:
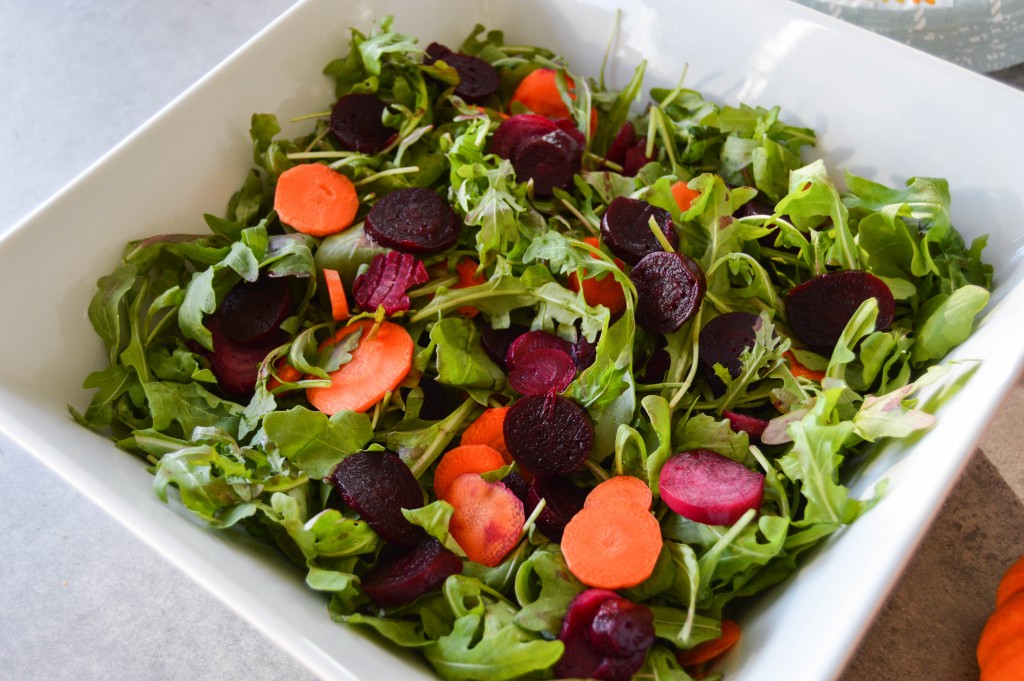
(316, 200)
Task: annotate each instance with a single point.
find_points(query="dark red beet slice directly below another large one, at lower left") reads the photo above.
(403, 577)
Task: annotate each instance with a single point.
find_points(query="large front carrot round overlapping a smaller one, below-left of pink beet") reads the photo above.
(609, 547)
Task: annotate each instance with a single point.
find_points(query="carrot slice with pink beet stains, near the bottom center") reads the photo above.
(487, 520)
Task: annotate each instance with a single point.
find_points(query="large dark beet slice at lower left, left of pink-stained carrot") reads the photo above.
(378, 486)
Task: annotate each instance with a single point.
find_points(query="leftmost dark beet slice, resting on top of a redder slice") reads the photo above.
(254, 313)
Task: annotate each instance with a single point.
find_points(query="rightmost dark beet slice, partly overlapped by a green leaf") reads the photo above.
(820, 309)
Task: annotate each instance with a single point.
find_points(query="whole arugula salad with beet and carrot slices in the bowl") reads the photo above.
(539, 377)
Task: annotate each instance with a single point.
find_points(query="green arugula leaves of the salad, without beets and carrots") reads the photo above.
(263, 462)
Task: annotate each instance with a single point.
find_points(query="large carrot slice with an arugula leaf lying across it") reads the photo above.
(379, 364)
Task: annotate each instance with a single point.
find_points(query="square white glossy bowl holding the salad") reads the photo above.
(881, 110)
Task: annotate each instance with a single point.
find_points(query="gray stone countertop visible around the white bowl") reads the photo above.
(86, 600)
